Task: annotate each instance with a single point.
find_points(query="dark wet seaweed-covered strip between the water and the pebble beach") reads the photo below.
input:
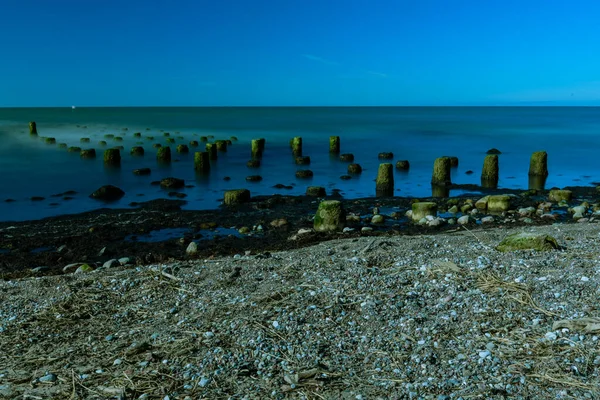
(47, 246)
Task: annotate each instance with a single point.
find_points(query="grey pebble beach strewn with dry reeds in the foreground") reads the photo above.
(432, 317)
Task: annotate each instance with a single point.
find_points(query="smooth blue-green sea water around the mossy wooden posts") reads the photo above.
(29, 167)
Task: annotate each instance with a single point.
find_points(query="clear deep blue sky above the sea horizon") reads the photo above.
(299, 52)
